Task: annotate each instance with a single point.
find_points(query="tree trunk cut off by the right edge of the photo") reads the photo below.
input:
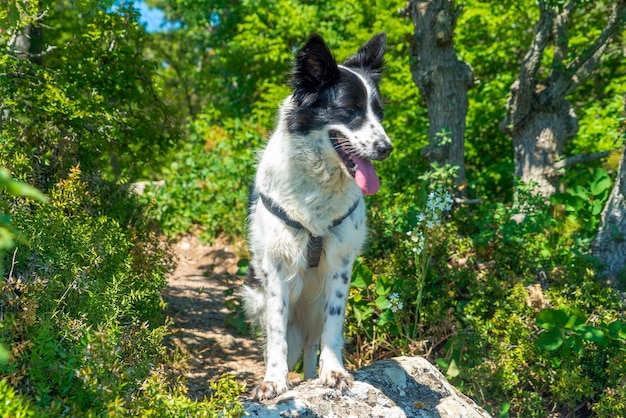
(609, 246)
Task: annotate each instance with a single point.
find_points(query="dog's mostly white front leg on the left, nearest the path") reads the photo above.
(276, 296)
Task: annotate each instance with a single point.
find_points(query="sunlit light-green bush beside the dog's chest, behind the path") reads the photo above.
(207, 183)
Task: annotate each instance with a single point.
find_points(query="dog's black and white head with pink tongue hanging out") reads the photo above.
(343, 102)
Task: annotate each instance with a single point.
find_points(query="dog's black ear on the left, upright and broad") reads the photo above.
(315, 68)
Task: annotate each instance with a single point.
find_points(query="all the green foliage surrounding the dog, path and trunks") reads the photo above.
(512, 312)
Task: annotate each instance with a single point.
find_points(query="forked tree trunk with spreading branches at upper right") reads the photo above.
(540, 120)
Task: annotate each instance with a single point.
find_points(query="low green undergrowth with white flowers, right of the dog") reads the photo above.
(483, 304)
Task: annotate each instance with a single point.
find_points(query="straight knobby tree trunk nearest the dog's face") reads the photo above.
(443, 81)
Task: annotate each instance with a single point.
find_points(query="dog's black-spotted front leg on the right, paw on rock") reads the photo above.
(332, 372)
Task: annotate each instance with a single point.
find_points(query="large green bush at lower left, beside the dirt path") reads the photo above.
(82, 311)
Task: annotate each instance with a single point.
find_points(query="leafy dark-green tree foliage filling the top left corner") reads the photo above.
(90, 99)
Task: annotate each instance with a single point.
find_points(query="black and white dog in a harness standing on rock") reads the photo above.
(307, 213)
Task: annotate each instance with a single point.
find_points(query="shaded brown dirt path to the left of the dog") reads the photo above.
(195, 297)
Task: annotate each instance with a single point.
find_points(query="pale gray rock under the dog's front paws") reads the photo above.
(394, 388)
